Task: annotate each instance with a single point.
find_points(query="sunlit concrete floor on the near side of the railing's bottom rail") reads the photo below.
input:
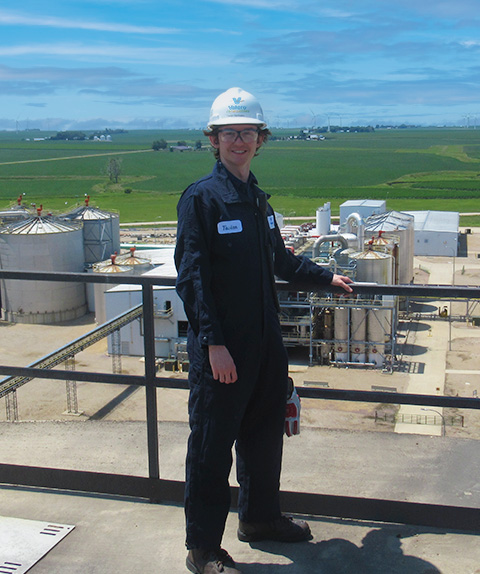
(135, 537)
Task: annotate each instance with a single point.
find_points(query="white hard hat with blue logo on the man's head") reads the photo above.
(236, 106)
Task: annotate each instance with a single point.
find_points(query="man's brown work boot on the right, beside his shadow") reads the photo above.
(284, 529)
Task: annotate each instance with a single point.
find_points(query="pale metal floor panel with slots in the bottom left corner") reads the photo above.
(24, 542)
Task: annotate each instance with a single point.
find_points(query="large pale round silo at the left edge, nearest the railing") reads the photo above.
(42, 244)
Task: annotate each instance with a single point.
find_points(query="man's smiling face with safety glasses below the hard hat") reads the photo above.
(237, 145)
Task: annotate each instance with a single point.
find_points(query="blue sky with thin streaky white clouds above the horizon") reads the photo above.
(86, 64)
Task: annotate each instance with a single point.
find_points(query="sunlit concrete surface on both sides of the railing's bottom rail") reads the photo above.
(131, 536)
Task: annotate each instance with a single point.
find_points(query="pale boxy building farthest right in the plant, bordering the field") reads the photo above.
(436, 232)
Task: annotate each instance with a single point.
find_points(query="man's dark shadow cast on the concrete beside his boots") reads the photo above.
(379, 553)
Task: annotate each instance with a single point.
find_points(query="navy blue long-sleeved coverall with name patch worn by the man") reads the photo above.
(228, 249)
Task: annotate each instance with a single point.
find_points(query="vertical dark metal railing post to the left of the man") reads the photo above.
(150, 388)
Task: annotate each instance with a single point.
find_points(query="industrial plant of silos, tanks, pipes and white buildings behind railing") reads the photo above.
(370, 245)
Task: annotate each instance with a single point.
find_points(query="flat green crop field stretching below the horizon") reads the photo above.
(412, 169)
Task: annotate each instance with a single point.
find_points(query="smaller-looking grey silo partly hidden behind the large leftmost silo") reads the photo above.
(101, 231)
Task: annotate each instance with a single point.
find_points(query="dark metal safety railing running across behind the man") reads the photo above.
(157, 489)
